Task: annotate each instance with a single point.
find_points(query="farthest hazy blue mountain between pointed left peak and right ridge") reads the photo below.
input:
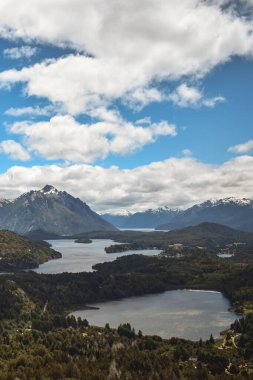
(145, 219)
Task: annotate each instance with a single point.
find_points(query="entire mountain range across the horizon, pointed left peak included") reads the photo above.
(57, 212)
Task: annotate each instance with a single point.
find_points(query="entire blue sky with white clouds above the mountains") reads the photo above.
(127, 105)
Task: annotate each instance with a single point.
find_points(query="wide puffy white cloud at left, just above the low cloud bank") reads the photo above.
(64, 138)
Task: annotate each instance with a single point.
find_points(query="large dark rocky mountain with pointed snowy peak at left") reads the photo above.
(50, 210)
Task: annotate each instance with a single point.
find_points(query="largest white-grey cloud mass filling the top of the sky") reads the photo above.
(134, 45)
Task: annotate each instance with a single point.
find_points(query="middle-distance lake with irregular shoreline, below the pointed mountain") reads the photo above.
(78, 257)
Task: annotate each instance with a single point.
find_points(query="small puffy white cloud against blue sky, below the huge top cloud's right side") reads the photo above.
(188, 96)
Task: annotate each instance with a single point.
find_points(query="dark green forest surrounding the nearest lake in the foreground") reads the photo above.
(40, 340)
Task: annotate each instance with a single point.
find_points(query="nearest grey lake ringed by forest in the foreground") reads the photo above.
(186, 314)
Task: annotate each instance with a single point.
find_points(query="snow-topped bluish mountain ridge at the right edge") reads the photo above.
(232, 212)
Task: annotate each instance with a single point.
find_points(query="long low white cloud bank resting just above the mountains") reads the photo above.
(176, 182)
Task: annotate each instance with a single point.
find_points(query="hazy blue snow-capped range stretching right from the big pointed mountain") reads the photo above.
(233, 212)
